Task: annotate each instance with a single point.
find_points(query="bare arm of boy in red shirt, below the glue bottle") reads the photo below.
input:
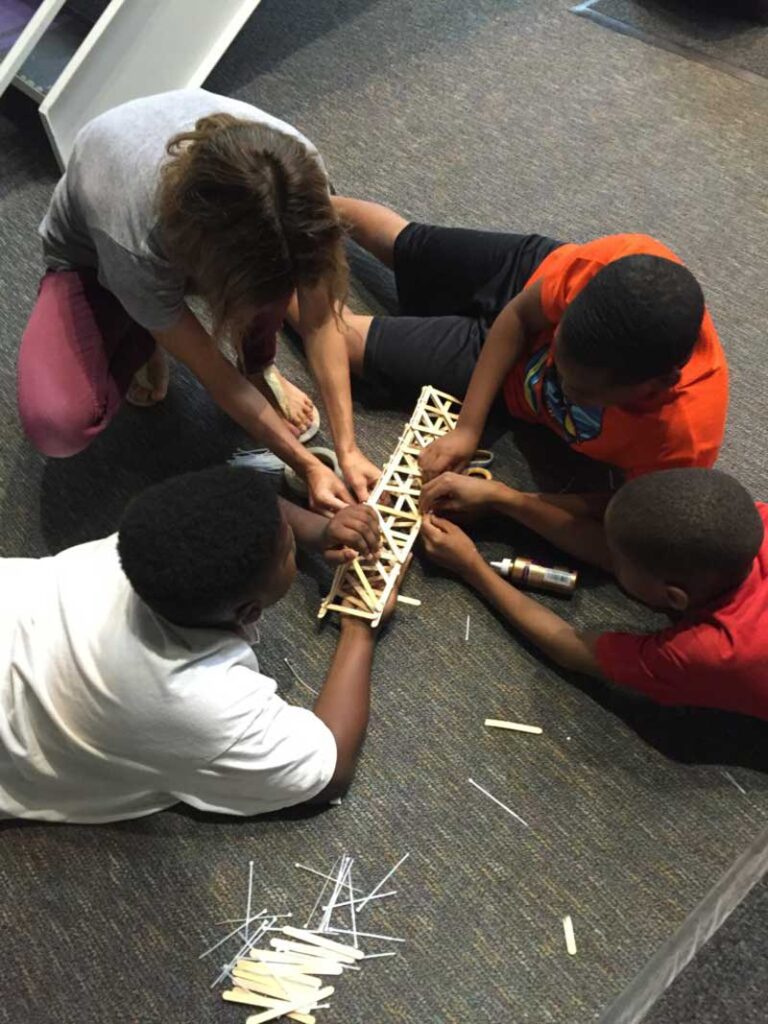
(450, 547)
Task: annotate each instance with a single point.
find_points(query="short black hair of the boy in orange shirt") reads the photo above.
(638, 319)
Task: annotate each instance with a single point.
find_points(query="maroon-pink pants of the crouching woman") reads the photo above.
(79, 354)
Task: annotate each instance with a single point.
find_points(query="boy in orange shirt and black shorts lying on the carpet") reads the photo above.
(609, 345)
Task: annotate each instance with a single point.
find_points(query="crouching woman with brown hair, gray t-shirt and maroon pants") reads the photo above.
(187, 194)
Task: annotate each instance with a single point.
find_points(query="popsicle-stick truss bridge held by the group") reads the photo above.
(363, 588)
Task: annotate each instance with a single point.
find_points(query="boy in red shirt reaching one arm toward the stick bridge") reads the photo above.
(690, 542)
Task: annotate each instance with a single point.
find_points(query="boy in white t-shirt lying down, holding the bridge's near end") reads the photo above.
(126, 680)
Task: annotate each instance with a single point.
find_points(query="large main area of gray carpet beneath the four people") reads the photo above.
(498, 114)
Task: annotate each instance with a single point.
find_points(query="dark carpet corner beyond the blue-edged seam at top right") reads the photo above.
(731, 34)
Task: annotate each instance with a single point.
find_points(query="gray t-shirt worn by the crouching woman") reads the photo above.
(103, 214)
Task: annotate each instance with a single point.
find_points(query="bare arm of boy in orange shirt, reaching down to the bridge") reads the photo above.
(521, 321)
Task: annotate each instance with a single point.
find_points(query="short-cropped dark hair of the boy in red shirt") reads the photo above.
(679, 524)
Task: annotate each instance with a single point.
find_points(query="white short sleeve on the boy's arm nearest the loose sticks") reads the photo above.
(284, 756)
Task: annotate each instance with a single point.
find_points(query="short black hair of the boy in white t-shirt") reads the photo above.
(194, 546)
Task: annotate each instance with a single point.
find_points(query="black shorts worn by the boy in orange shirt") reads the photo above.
(452, 285)
